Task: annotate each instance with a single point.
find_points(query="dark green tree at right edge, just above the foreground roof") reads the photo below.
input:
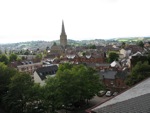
(139, 72)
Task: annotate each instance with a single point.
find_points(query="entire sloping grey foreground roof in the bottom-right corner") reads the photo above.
(127, 102)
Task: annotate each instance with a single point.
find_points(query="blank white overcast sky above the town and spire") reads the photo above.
(31, 20)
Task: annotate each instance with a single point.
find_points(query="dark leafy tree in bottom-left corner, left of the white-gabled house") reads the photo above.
(17, 97)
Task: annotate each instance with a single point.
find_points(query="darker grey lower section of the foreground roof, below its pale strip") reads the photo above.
(140, 104)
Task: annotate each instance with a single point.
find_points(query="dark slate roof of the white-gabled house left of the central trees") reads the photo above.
(45, 71)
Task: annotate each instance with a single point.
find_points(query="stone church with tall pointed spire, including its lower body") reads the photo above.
(58, 50)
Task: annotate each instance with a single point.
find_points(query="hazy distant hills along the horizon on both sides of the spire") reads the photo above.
(33, 45)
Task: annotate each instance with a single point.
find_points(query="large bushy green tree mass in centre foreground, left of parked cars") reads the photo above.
(77, 84)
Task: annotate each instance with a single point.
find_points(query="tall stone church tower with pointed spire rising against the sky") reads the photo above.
(63, 36)
